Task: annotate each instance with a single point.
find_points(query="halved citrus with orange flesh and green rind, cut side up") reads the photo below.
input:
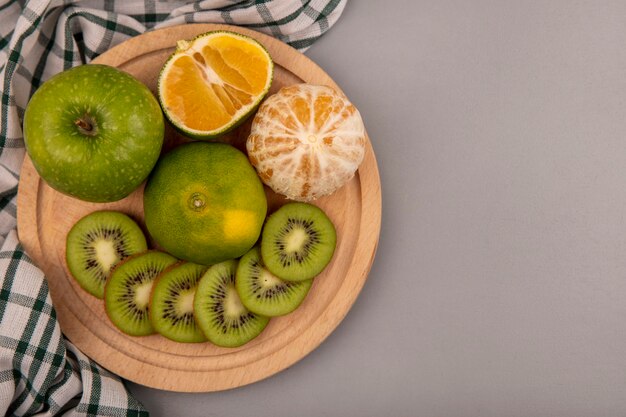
(214, 82)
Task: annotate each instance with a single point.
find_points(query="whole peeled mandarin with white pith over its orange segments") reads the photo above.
(306, 141)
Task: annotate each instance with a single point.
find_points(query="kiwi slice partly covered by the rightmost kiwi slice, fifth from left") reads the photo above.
(263, 292)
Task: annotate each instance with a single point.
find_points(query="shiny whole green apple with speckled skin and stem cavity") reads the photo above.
(93, 132)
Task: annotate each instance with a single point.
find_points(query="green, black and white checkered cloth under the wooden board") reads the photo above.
(41, 373)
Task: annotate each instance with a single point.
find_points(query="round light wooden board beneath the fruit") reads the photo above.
(45, 217)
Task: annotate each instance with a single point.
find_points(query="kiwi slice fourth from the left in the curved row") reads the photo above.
(223, 318)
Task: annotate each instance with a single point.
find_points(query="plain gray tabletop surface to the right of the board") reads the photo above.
(499, 287)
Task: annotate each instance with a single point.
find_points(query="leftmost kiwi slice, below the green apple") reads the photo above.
(96, 243)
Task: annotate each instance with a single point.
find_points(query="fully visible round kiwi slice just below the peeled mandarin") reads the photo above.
(298, 241)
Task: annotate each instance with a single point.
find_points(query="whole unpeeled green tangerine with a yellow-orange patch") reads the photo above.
(204, 203)
